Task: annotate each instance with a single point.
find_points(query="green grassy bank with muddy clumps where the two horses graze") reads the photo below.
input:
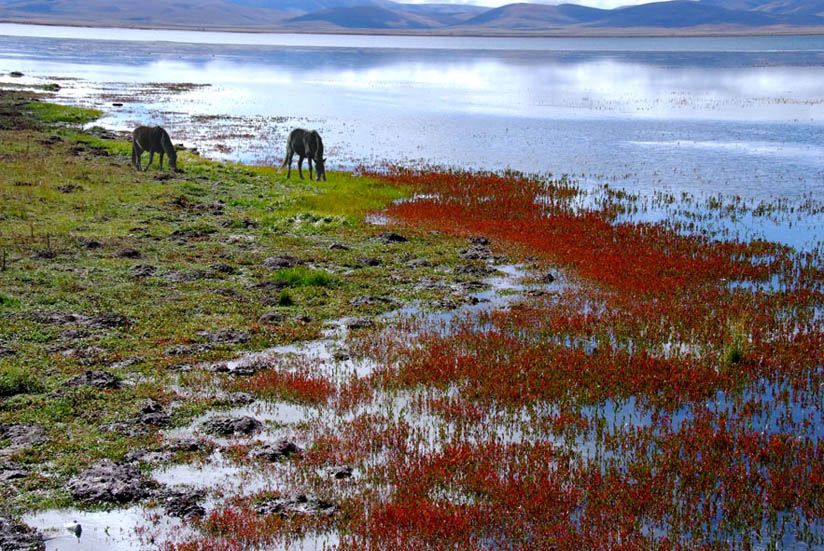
(106, 268)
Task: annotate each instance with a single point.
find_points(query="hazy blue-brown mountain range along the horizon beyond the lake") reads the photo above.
(385, 16)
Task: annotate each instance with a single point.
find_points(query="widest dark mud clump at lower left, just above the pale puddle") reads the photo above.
(109, 482)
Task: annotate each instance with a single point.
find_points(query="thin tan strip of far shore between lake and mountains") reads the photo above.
(613, 32)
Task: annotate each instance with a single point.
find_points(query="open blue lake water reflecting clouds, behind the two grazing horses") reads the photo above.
(740, 116)
